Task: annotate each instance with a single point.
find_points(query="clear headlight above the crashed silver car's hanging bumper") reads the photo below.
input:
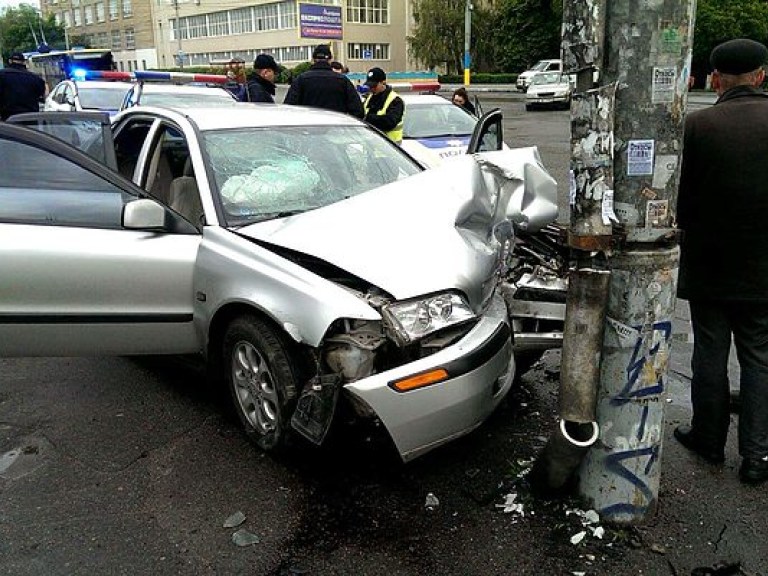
(414, 319)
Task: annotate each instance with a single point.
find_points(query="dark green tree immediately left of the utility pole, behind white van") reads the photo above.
(527, 31)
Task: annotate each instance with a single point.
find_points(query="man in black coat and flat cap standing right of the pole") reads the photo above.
(723, 212)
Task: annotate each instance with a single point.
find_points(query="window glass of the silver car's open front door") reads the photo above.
(46, 189)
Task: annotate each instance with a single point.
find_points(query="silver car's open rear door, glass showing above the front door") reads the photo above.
(89, 132)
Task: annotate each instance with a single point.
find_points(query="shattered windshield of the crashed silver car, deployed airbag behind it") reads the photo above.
(277, 171)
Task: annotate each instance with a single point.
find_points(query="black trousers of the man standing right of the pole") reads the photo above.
(713, 325)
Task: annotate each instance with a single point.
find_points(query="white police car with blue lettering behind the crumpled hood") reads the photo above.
(435, 129)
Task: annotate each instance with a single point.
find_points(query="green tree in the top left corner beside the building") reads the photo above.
(22, 29)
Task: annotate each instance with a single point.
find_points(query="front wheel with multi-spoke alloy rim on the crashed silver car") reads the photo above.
(261, 381)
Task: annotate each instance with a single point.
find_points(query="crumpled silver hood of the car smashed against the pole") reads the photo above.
(441, 229)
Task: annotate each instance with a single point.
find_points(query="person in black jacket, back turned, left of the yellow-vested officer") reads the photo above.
(321, 87)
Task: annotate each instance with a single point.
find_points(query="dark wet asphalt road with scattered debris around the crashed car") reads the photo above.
(131, 466)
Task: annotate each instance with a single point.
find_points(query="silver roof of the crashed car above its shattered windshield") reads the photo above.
(222, 116)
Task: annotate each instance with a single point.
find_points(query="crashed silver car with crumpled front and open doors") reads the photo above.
(308, 259)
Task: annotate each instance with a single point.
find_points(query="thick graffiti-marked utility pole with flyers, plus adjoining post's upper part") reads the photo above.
(627, 143)
